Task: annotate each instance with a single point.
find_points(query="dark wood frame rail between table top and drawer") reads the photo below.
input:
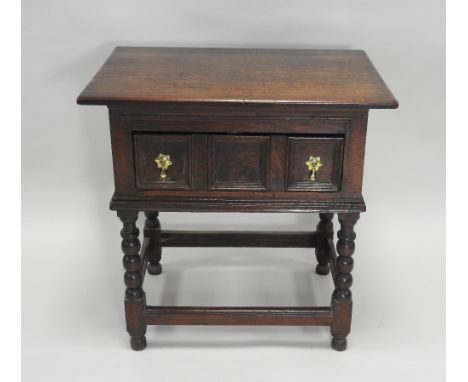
(162, 118)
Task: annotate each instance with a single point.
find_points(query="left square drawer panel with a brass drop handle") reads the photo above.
(162, 161)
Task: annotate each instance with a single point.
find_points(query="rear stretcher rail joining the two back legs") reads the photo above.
(238, 239)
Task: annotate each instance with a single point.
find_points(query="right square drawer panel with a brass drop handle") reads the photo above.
(314, 163)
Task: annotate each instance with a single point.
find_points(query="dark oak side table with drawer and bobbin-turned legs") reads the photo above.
(242, 130)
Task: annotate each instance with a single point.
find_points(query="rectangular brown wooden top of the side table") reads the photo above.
(329, 78)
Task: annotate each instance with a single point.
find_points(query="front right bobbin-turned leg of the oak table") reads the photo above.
(342, 303)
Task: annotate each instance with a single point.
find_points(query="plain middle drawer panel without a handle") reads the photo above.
(238, 162)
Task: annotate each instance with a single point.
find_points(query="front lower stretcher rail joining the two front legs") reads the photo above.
(182, 315)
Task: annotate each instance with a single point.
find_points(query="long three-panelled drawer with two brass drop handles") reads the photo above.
(232, 162)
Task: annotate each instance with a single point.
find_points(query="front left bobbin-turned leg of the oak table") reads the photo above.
(134, 295)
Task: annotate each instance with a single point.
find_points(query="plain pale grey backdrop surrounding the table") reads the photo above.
(73, 324)
